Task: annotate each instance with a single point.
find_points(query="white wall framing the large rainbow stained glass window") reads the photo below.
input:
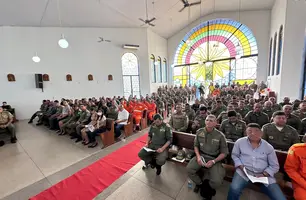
(257, 21)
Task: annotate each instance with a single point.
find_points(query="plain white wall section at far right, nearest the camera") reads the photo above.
(291, 74)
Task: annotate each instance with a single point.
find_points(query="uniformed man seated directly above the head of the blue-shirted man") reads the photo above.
(257, 116)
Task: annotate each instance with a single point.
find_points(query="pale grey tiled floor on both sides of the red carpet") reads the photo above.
(41, 159)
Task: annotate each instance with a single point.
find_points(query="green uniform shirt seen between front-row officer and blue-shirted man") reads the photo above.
(233, 131)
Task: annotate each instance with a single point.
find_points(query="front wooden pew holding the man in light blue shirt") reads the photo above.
(186, 140)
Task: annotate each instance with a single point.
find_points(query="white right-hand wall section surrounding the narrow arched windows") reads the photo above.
(278, 18)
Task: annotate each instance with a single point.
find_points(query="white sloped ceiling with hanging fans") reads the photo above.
(115, 13)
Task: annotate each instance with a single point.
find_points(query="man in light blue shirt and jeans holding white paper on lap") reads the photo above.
(257, 157)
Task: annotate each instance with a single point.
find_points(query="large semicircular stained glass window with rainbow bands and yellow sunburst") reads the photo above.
(209, 52)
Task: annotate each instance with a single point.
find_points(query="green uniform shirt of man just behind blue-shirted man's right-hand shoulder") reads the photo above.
(280, 139)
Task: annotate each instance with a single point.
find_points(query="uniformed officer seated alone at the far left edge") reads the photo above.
(6, 120)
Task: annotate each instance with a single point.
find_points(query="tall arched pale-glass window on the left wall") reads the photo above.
(130, 74)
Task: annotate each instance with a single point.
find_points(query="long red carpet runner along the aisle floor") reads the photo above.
(92, 180)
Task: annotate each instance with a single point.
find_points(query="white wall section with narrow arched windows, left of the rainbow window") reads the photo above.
(157, 46)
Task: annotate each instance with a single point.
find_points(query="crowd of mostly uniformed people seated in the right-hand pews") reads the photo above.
(258, 126)
